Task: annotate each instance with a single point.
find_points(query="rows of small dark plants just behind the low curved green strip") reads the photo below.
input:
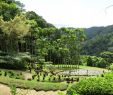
(41, 77)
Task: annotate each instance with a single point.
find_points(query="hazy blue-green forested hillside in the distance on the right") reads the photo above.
(99, 39)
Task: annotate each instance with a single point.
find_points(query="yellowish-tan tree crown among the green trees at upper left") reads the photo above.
(14, 29)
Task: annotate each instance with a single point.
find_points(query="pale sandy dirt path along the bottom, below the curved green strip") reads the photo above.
(5, 90)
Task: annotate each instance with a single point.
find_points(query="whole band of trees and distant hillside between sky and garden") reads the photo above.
(27, 39)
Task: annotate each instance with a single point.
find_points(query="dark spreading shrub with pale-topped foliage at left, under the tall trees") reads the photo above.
(14, 61)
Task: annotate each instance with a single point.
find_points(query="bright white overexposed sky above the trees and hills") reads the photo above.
(73, 13)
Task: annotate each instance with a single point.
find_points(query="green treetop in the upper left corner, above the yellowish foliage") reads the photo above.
(9, 9)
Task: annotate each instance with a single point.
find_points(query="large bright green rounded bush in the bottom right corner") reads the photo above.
(92, 86)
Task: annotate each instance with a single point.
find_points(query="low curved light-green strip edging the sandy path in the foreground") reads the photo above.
(25, 84)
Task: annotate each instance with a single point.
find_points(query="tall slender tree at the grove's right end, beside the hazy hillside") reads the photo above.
(72, 39)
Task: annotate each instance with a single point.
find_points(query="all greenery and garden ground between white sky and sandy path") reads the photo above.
(52, 58)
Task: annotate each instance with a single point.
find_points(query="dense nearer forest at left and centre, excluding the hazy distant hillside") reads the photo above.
(26, 38)
